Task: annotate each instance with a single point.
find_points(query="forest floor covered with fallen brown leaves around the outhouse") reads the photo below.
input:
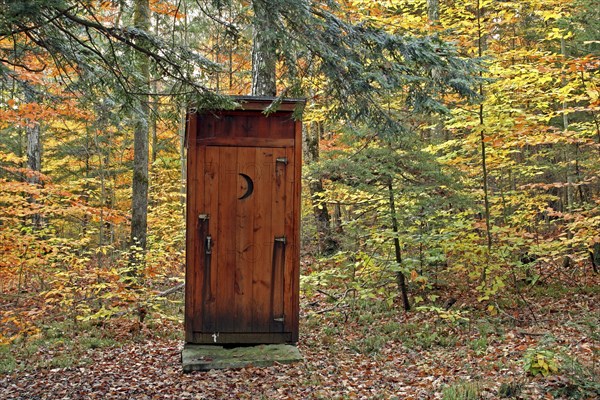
(352, 350)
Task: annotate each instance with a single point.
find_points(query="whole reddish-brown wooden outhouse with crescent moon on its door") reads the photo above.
(243, 207)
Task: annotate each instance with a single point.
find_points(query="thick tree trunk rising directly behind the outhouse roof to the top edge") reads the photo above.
(264, 50)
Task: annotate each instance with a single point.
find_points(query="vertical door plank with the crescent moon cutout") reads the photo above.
(244, 239)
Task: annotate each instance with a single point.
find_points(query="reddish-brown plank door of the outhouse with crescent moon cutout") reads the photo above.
(245, 221)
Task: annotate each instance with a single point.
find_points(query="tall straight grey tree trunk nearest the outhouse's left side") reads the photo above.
(139, 202)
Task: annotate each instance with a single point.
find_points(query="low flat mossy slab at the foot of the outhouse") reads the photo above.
(197, 357)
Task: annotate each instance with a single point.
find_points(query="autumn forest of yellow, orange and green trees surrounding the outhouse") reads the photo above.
(441, 139)
